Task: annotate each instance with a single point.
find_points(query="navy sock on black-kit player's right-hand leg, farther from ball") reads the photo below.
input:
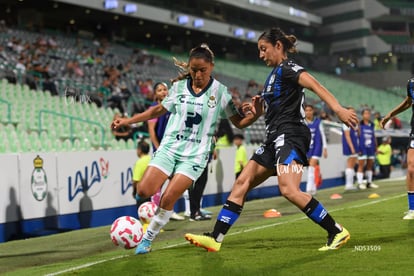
(316, 212)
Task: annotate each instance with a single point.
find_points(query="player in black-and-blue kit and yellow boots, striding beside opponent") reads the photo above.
(287, 141)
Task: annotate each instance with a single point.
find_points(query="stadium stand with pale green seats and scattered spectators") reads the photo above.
(36, 120)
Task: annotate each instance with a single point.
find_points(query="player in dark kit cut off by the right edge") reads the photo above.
(404, 105)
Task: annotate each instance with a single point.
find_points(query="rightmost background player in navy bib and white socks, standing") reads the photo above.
(367, 150)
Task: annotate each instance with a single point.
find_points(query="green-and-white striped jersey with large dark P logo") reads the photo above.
(194, 117)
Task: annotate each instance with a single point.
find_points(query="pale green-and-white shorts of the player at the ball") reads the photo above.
(170, 165)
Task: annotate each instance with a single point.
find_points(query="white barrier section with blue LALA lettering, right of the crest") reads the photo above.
(95, 180)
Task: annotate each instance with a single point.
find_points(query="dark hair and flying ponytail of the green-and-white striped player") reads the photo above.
(201, 51)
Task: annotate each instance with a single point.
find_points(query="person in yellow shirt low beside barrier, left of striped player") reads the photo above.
(141, 165)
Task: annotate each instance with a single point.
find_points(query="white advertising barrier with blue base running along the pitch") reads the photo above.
(46, 193)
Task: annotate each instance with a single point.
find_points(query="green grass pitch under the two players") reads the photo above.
(381, 243)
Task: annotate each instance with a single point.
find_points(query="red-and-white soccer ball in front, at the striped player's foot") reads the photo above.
(126, 232)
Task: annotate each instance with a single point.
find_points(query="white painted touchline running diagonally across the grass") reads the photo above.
(231, 234)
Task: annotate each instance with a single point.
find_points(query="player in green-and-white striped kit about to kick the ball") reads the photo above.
(196, 102)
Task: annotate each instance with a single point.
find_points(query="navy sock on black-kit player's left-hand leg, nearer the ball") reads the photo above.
(225, 219)
